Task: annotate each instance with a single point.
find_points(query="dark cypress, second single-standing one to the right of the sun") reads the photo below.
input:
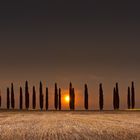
(101, 99)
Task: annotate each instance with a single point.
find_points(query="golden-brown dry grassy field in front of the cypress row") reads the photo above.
(79, 125)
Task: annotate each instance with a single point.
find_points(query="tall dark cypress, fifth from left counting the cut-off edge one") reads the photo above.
(26, 95)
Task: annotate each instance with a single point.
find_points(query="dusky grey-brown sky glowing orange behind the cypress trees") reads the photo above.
(82, 41)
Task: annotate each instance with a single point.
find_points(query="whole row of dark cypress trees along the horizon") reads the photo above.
(57, 97)
